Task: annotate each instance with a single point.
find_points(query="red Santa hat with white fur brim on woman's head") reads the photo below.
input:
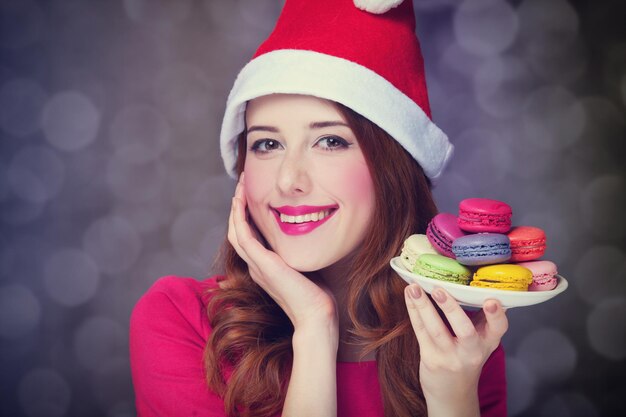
(363, 54)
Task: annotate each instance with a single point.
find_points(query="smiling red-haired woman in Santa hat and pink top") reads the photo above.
(328, 132)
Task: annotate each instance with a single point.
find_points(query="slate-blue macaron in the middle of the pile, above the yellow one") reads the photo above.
(482, 249)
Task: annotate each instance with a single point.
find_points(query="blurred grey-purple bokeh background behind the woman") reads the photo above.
(110, 177)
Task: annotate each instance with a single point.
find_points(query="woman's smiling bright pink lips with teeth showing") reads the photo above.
(299, 220)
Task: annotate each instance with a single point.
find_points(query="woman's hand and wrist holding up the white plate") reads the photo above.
(450, 363)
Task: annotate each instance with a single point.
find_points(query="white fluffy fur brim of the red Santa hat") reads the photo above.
(292, 71)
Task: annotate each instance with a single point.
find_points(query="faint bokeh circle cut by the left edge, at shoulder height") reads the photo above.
(20, 311)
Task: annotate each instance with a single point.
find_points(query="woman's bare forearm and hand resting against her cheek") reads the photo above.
(311, 309)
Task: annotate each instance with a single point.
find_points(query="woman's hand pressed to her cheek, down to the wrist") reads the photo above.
(304, 302)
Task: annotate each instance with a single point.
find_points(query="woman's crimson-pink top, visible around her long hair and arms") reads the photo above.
(168, 332)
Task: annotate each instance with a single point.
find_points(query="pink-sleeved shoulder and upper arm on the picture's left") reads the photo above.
(169, 328)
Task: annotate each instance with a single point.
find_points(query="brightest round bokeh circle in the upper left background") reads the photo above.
(70, 121)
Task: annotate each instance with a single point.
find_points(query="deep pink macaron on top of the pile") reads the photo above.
(478, 215)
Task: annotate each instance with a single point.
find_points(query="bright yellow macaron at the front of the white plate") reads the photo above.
(503, 277)
